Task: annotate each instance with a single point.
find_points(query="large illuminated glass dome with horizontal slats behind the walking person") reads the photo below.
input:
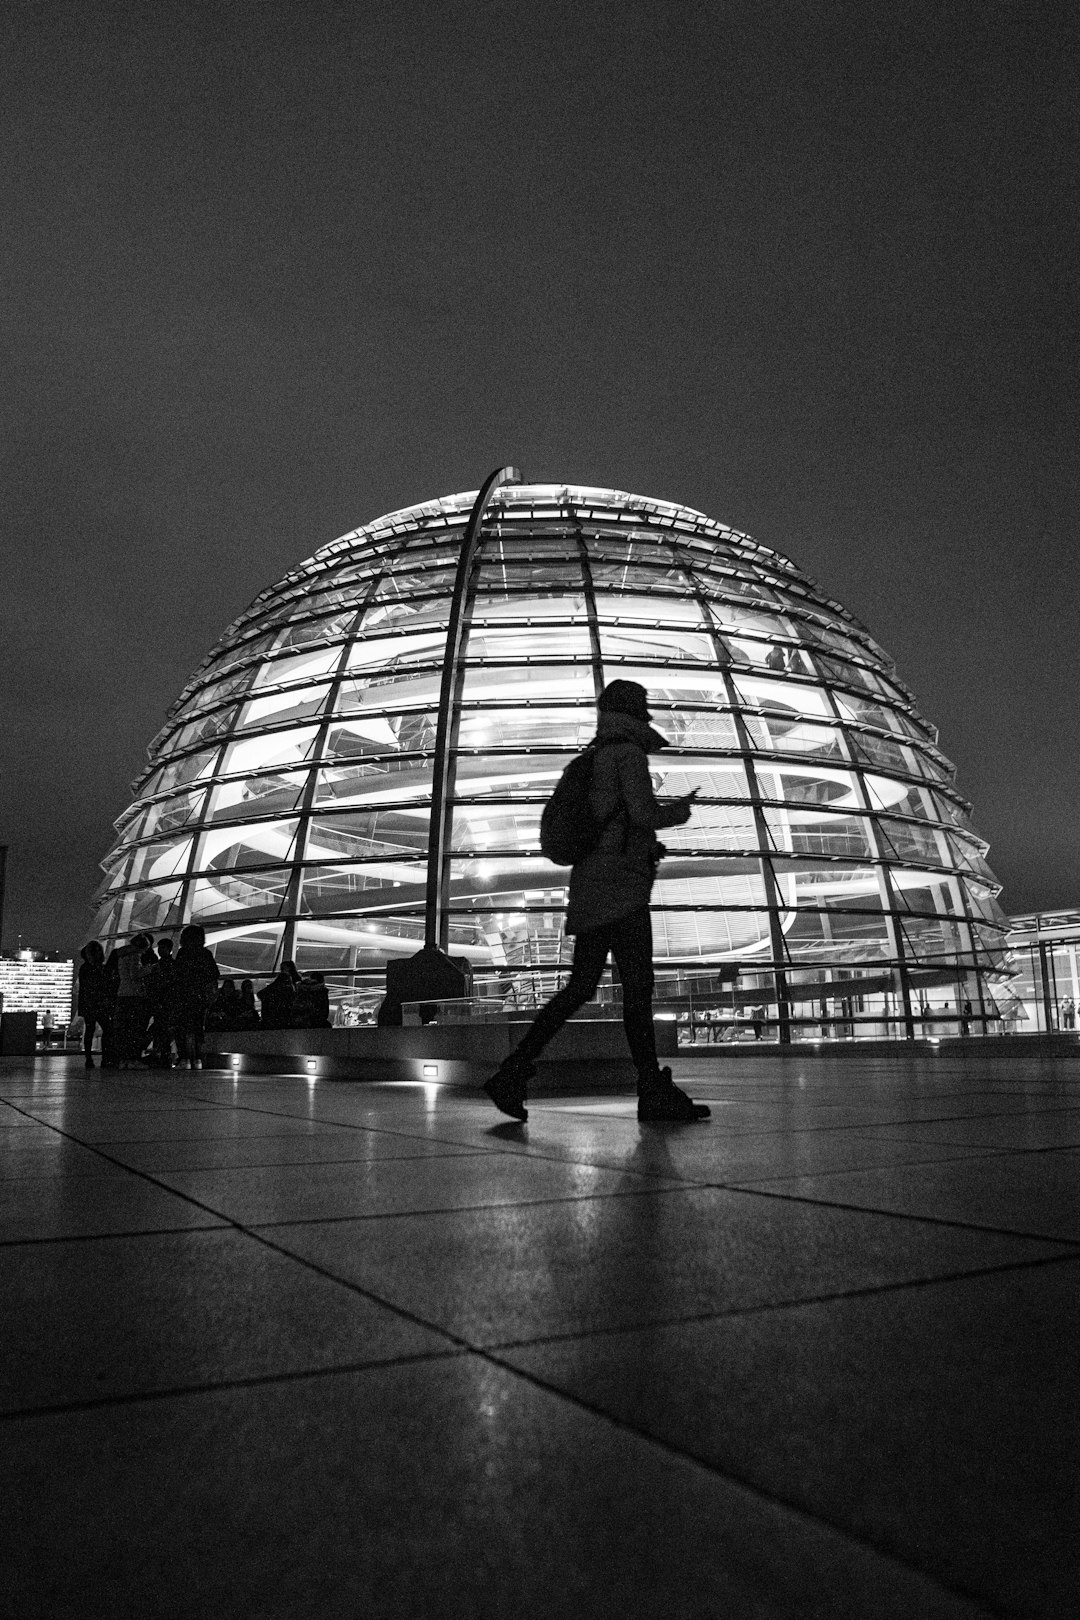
(360, 764)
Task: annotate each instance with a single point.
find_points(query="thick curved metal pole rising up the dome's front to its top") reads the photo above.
(436, 919)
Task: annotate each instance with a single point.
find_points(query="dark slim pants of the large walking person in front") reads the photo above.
(631, 942)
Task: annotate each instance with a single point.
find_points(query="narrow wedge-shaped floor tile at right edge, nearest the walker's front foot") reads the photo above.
(1037, 1195)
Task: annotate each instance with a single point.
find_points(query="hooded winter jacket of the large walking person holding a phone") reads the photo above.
(616, 877)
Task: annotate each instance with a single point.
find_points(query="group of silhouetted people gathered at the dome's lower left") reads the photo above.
(148, 1000)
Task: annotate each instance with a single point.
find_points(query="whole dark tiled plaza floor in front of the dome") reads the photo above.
(287, 1349)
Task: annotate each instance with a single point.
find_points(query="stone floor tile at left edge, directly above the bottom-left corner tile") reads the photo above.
(121, 1316)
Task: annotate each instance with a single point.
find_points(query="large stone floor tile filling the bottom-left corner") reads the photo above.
(422, 1491)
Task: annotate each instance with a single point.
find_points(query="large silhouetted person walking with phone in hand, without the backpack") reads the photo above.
(610, 910)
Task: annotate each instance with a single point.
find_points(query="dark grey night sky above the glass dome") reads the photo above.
(271, 271)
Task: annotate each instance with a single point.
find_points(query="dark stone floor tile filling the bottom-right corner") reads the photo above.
(938, 1423)
